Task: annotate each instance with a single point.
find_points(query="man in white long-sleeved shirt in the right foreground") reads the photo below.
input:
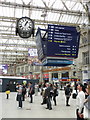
(80, 102)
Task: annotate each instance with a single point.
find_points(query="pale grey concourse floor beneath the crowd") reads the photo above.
(36, 110)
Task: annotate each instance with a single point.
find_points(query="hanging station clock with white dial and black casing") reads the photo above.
(25, 27)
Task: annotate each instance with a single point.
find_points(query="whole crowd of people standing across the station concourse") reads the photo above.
(50, 92)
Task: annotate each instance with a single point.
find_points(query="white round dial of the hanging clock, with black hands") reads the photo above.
(25, 24)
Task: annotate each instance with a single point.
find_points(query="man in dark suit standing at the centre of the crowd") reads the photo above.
(48, 96)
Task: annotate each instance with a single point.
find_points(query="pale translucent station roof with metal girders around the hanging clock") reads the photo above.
(44, 12)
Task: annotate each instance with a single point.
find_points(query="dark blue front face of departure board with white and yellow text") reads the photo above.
(62, 41)
